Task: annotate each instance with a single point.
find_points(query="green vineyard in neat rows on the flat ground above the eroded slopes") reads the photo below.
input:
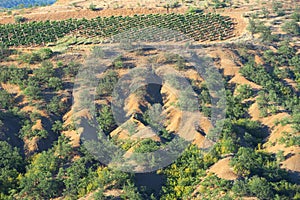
(200, 27)
